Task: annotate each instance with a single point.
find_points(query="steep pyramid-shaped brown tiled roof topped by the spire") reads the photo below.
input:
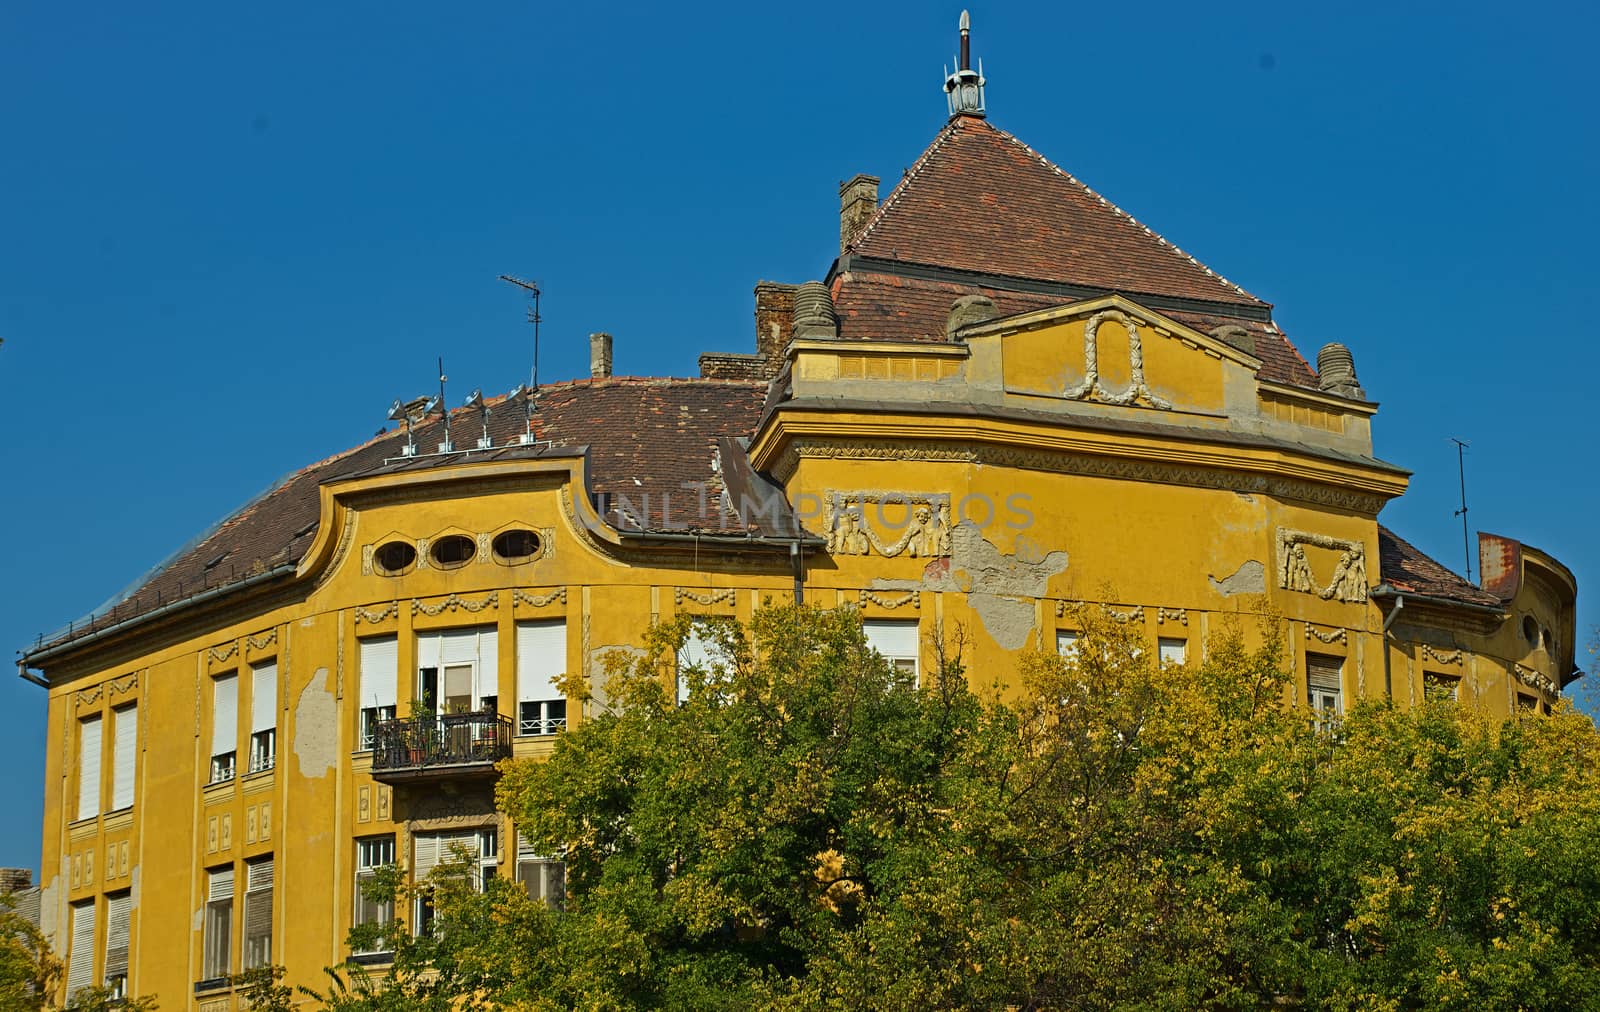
(982, 201)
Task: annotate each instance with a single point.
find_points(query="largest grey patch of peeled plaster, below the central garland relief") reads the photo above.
(1012, 584)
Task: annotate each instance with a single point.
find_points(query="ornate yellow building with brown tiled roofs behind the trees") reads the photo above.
(1006, 400)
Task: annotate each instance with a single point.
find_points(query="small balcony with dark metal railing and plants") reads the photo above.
(434, 747)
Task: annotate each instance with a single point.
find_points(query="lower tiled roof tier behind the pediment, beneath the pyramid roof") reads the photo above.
(892, 308)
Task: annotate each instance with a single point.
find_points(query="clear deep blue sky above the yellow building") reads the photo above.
(234, 235)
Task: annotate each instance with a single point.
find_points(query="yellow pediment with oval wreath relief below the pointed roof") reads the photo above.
(1113, 351)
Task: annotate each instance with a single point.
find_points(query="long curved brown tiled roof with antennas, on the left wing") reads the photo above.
(646, 440)
